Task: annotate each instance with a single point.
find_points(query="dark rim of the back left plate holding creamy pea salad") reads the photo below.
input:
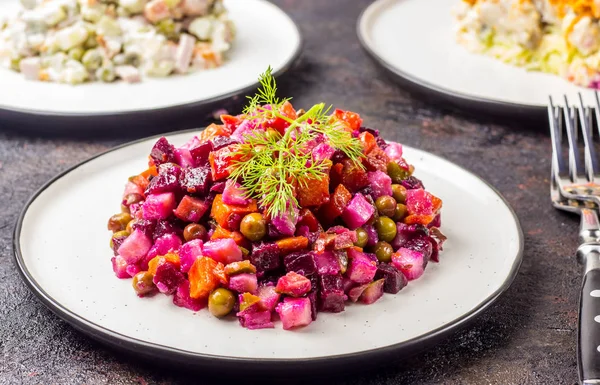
(33, 113)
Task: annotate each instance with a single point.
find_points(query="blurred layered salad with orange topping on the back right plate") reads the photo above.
(561, 37)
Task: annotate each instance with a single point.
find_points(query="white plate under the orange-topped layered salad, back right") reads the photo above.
(414, 40)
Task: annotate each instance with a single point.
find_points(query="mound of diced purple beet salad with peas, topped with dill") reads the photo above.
(276, 212)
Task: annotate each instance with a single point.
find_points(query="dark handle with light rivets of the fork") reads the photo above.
(588, 351)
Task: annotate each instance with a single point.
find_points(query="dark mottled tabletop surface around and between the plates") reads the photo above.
(527, 337)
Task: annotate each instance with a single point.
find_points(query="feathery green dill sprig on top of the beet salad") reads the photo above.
(272, 167)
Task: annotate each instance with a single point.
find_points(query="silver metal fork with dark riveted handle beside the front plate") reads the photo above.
(575, 187)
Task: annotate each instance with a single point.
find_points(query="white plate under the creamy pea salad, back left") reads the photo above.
(265, 36)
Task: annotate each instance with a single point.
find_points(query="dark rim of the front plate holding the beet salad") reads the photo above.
(181, 356)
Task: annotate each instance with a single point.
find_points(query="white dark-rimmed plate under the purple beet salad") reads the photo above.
(61, 248)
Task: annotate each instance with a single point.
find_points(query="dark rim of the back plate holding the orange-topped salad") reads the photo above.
(459, 99)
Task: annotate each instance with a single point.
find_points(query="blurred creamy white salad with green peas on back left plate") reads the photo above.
(76, 41)
